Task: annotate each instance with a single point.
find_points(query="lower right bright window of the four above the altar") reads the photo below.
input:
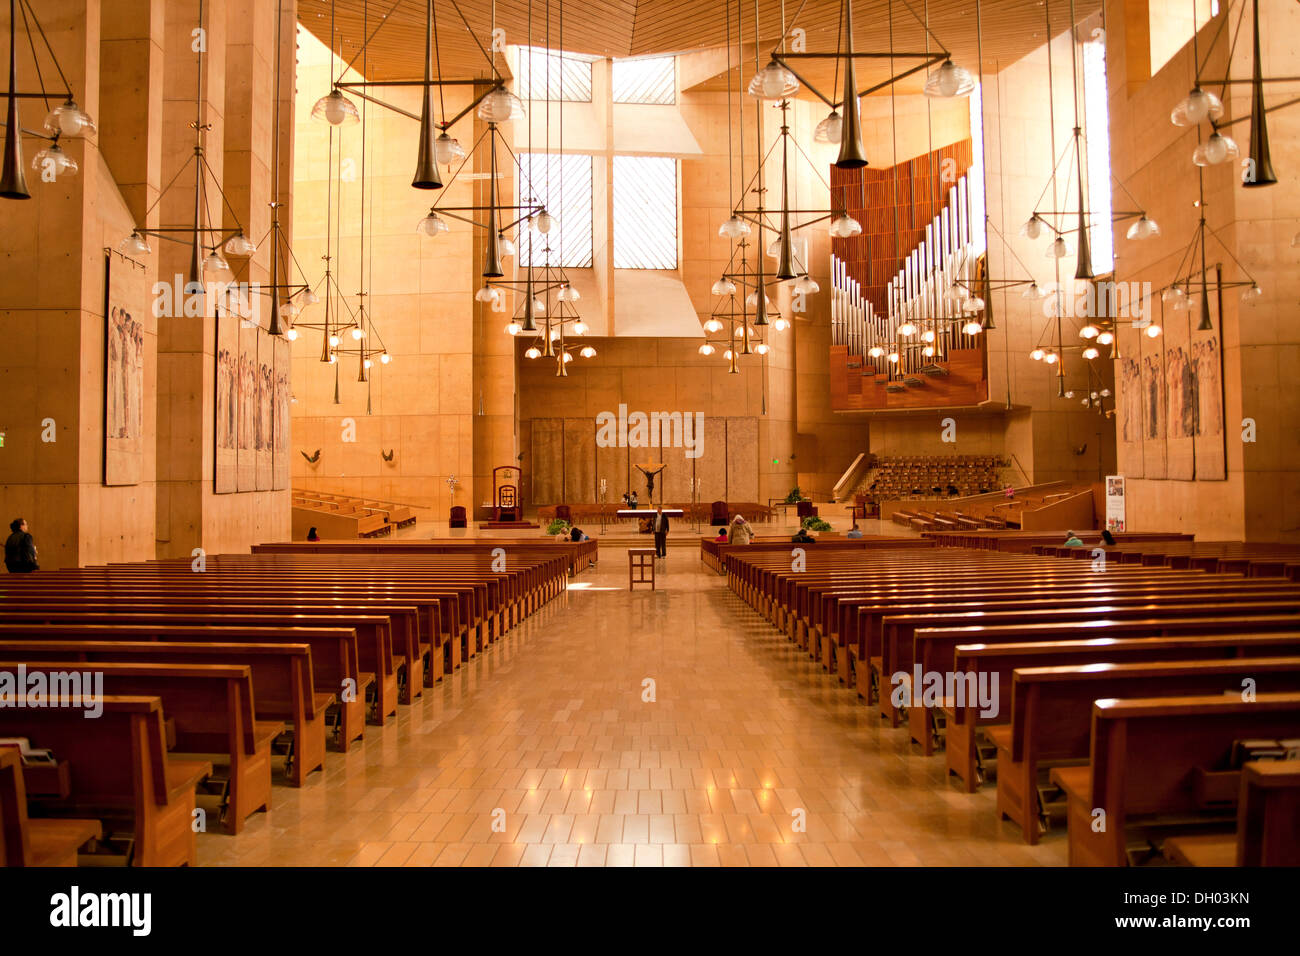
(645, 213)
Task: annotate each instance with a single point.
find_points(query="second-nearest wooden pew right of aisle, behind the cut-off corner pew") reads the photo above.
(1160, 759)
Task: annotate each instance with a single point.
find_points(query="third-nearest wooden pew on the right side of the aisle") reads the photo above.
(1051, 712)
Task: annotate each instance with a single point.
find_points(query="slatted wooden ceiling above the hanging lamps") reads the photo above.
(638, 28)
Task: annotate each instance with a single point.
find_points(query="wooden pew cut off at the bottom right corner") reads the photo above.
(1268, 824)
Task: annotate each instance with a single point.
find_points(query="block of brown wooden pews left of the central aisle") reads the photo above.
(211, 677)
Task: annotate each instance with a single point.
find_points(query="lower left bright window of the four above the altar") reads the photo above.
(564, 184)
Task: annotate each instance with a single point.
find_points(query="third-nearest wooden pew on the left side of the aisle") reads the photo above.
(211, 710)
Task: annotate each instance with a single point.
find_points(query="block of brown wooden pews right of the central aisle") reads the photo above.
(1137, 697)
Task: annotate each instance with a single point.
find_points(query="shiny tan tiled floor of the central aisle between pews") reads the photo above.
(548, 736)
